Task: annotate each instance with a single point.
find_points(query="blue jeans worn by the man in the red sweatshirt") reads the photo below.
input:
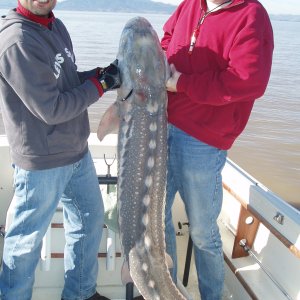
(194, 170)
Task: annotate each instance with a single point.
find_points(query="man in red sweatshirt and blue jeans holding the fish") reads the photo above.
(220, 54)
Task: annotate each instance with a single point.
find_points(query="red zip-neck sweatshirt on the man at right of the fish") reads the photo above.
(227, 70)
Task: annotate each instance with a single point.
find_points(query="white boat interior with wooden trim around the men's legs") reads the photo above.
(270, 272)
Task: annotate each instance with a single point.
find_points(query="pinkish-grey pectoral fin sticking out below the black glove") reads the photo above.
(109, 123)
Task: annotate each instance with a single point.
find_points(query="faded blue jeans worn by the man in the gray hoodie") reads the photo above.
(37, 194)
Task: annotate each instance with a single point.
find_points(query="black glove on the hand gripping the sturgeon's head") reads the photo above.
(109, 77)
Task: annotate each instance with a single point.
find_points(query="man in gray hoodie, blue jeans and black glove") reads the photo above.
(44, 101)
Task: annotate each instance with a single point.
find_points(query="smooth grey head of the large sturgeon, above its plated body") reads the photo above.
(143, 68)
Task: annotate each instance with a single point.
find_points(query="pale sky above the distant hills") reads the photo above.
(274, 7)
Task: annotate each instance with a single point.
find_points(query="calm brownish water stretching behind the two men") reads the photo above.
(269, 148)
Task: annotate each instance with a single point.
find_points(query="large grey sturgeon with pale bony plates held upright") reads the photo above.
(140, 111)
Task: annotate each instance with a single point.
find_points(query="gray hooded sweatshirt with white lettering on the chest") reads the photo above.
(44, 99)
